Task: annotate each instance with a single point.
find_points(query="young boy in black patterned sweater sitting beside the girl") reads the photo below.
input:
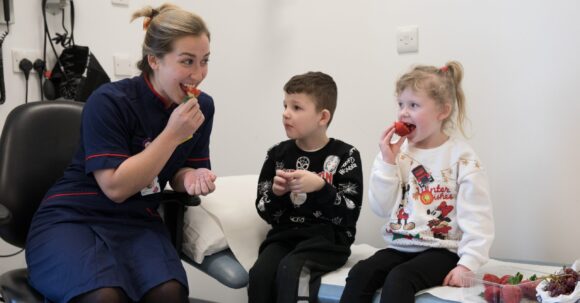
(310, 191)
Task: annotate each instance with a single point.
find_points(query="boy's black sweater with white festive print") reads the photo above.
(337, 203)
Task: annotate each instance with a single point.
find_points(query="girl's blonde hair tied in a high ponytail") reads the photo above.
(442, 84)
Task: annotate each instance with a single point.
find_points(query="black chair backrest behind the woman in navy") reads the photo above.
(38, 142)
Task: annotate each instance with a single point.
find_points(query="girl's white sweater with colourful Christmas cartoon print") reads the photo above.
(435, 197)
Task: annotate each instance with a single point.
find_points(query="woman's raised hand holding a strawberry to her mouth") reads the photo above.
(185, 120)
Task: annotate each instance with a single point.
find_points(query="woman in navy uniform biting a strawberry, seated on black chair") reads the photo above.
(97, 236)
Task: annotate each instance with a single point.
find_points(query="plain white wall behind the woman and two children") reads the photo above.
(521, 80)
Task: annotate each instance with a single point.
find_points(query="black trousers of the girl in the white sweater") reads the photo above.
(400, 275)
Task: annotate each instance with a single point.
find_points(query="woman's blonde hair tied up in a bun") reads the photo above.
(163, 26)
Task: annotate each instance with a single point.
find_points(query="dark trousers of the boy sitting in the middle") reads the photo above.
(292, 261)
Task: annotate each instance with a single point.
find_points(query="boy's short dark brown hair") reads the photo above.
(318, 85)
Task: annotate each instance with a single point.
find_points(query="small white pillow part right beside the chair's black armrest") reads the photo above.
(202, 235)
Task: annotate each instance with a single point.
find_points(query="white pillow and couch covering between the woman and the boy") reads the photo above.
(226, 218)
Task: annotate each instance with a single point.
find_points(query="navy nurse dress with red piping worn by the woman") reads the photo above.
(79, 239)
